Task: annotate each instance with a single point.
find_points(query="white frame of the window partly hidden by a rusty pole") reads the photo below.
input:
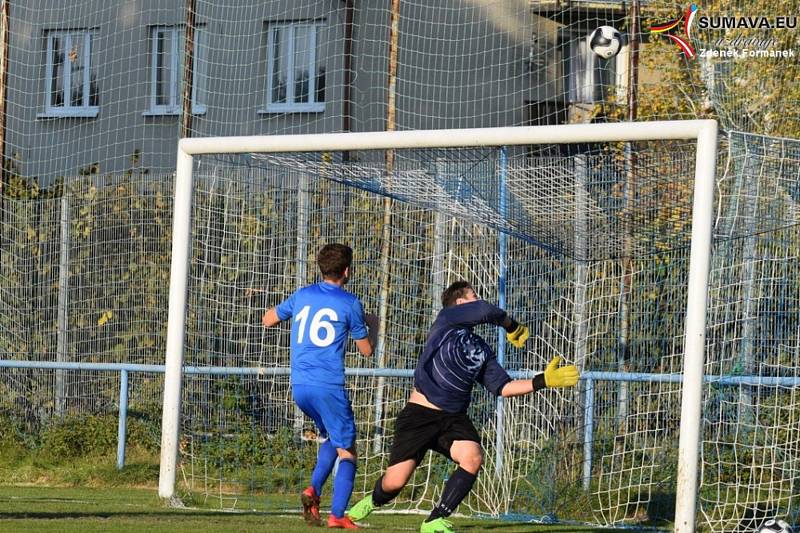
(175, 105)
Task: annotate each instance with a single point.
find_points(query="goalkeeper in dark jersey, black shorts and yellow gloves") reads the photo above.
(435, 417)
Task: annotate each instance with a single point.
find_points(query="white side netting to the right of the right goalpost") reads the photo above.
(751, 414)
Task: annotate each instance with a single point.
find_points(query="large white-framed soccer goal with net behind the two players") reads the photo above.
(598, 236)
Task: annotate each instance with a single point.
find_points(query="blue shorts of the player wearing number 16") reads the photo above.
(330, 410)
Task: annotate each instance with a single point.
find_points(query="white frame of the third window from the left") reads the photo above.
(289, 106)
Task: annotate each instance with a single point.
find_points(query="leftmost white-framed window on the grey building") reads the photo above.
(71, 81)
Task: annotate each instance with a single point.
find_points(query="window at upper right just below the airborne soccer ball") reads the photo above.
(588, 78)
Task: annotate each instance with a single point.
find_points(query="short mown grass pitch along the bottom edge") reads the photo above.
(50, 509)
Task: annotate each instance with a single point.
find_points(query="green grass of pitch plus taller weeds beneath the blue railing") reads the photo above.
(68, 486)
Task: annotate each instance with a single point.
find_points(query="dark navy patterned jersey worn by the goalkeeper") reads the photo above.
(454, 358)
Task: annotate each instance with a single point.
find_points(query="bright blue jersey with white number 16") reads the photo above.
(322, 315)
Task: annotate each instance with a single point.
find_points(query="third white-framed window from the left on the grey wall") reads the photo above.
(295, 77)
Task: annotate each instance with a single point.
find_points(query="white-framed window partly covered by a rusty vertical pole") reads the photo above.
(167, 54)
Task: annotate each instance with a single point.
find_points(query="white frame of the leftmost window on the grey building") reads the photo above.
(85, 110)
